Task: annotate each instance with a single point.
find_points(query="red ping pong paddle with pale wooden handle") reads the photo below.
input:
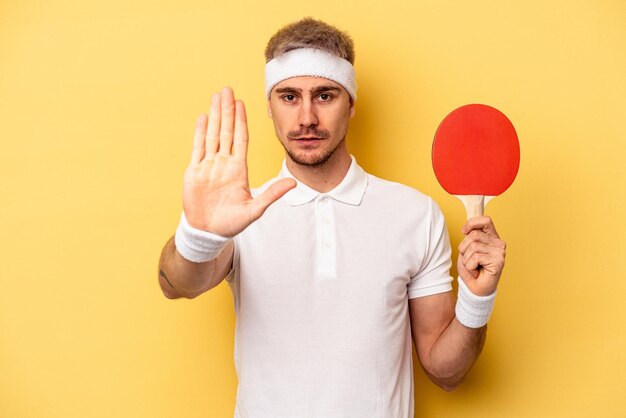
(475, 155)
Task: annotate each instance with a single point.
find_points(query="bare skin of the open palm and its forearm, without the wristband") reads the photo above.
(216, 197)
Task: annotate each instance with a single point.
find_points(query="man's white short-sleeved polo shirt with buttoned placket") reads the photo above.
(321, 286)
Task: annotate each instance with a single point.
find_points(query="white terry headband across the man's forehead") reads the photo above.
(310, 62)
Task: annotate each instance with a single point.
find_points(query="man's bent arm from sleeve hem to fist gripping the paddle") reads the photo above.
(446, 347)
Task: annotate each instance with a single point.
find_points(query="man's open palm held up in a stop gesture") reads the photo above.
(216, 192)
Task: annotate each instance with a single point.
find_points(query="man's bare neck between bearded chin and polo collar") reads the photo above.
(326, 176)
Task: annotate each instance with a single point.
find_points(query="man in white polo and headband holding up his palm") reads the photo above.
(331, 269)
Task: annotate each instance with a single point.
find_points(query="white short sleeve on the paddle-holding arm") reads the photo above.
(433, 275)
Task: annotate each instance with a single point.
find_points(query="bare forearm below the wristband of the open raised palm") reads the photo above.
(179, 277)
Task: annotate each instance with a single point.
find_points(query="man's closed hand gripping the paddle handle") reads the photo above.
(481, 256)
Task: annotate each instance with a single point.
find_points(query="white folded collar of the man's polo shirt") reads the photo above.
(350, 190)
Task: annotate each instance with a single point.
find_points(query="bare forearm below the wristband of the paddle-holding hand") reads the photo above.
(453, 354)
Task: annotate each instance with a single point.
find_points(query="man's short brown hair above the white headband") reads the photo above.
(310, 33)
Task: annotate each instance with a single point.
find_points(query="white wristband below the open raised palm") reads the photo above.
(197, 245)
